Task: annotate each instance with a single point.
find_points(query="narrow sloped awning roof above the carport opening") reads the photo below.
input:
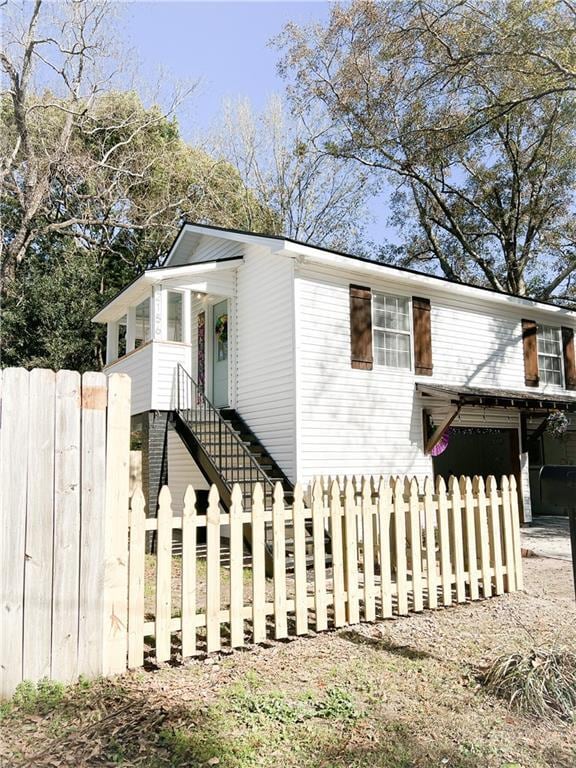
(536, 401)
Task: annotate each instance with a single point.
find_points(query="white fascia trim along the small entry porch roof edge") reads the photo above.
(140, 288)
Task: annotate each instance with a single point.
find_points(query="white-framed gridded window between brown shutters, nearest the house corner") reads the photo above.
(391, 328)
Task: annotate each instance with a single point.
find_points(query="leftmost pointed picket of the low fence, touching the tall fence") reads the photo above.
(136, 575)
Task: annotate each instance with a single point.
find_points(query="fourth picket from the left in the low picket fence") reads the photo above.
(213, 597)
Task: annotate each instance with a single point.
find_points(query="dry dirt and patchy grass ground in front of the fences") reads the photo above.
(399, 694)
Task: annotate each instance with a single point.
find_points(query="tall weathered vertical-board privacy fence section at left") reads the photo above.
(64, 452)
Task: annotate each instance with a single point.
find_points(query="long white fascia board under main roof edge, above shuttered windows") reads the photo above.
(309, 254)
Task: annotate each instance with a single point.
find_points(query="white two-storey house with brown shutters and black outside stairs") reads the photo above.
(261, 358)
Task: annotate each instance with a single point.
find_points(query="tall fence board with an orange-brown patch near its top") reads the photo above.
(93, 486)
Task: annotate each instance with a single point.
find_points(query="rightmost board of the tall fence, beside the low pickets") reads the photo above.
(115, 595)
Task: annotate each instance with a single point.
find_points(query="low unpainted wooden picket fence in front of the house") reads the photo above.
(390, 550)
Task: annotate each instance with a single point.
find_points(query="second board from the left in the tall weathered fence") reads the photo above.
(39, 526)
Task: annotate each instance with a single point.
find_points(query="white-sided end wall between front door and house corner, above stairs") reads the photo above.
(264, 336)
